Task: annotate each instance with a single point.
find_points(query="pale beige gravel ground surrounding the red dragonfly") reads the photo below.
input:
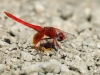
(80, 56)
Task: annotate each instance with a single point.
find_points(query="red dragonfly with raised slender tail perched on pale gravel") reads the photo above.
(46, 38)
